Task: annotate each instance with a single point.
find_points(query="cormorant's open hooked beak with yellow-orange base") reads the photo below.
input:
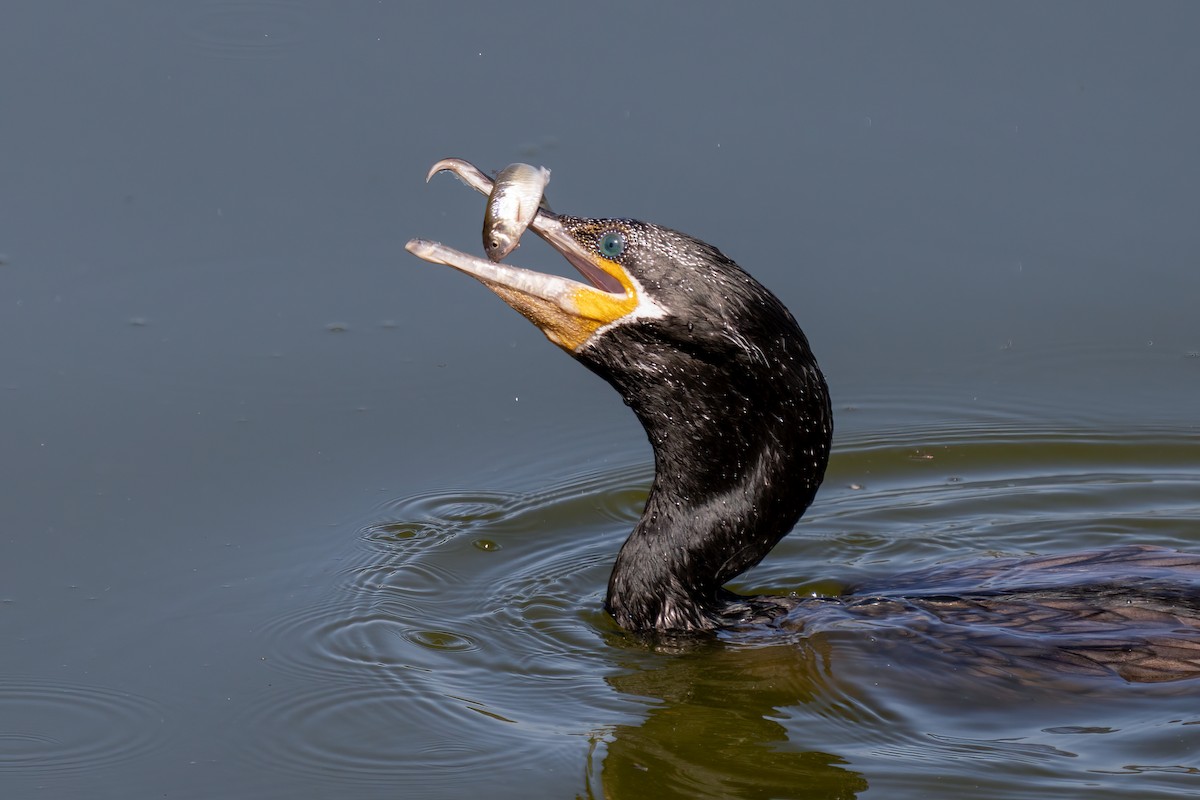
(567, 311)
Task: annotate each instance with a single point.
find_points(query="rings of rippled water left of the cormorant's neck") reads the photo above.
(427, 630)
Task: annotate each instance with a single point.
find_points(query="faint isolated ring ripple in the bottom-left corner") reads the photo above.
(57, 727)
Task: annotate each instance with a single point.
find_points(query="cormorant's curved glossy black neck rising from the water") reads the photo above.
(740, 452)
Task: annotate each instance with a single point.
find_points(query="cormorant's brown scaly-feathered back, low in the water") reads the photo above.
(1132, 612)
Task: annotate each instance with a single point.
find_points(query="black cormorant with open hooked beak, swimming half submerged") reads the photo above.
(737, 412)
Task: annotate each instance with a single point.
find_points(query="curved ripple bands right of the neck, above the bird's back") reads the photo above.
(994, 491)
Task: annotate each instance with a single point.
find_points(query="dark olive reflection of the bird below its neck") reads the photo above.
(715, 731)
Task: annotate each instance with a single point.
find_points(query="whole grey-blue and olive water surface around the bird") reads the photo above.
(287, 513)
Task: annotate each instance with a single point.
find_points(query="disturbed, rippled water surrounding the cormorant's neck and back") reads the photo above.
(465, 639)
